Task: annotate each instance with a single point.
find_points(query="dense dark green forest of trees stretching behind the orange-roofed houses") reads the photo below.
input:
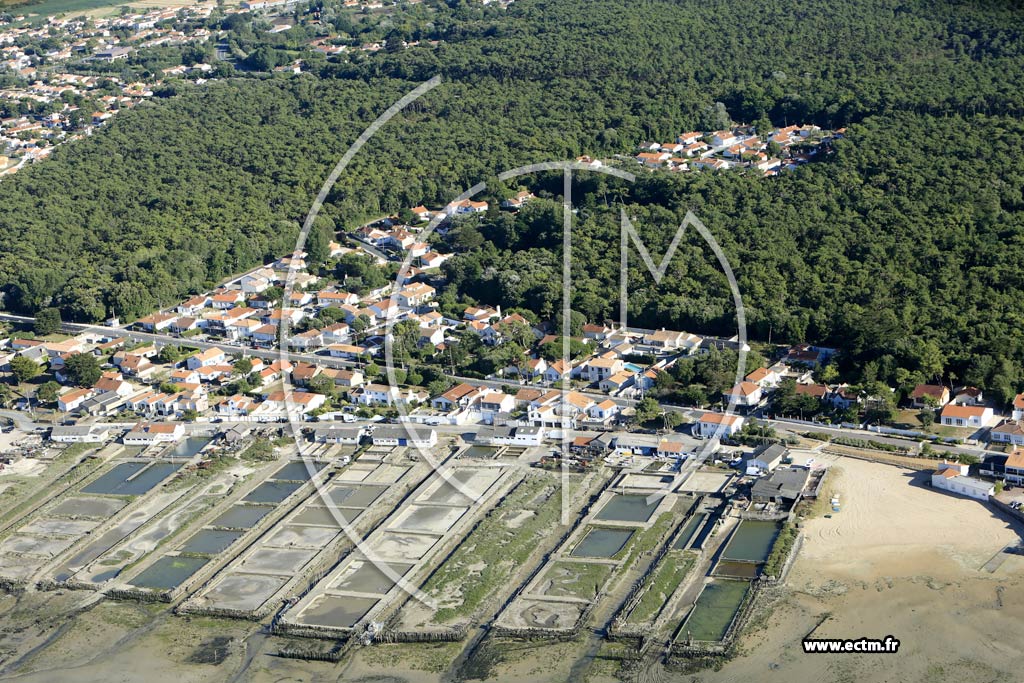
(908, 241)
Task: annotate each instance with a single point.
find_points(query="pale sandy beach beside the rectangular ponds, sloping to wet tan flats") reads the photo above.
(901, 560)
